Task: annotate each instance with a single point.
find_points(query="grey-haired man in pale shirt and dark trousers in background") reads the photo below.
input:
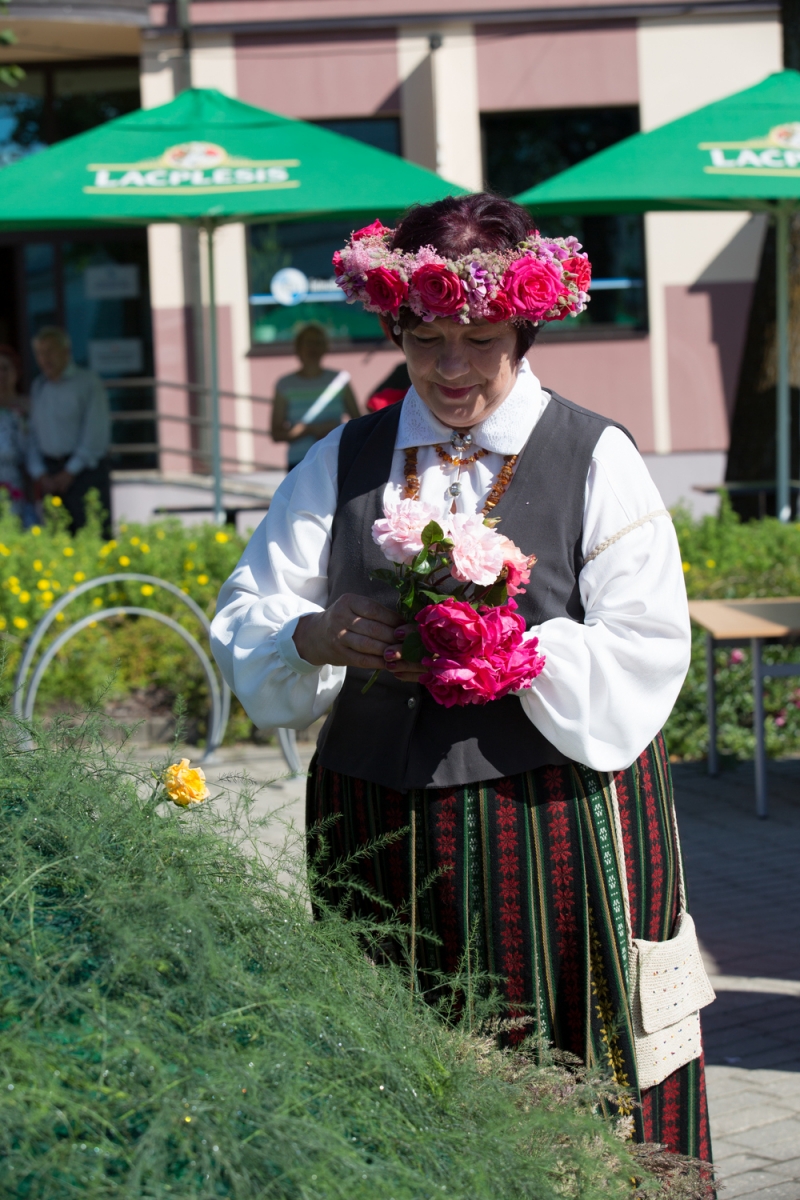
(70, 429)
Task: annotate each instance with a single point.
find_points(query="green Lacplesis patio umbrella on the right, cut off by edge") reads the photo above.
(739, 153)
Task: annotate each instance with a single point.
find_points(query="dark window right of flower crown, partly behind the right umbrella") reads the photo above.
(522, 149)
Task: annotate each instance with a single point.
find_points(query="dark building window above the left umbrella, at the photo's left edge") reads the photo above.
(58, 101)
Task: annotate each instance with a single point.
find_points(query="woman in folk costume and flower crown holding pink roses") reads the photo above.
(544, 818)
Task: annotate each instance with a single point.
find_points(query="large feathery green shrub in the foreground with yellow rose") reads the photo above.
(172, 1023)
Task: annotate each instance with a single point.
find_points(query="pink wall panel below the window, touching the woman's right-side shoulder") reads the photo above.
(609, 377)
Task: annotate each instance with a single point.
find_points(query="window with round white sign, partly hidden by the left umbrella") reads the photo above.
(290, 263)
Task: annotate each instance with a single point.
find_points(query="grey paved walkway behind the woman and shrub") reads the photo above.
(744, 890)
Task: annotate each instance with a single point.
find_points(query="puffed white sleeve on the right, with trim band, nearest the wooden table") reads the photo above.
(610, 685)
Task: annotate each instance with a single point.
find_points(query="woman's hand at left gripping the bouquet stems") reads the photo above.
(356, 632)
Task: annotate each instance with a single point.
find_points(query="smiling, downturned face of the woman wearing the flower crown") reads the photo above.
(462, 373)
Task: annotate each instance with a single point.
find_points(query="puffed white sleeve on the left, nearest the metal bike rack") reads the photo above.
(282, 577)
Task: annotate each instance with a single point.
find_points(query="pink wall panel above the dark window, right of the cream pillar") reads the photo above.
(527, 68)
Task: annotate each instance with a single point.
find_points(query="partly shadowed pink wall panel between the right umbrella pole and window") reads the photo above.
(706, 335)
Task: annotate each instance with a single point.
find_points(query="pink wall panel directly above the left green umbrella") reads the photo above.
(322, 76)
